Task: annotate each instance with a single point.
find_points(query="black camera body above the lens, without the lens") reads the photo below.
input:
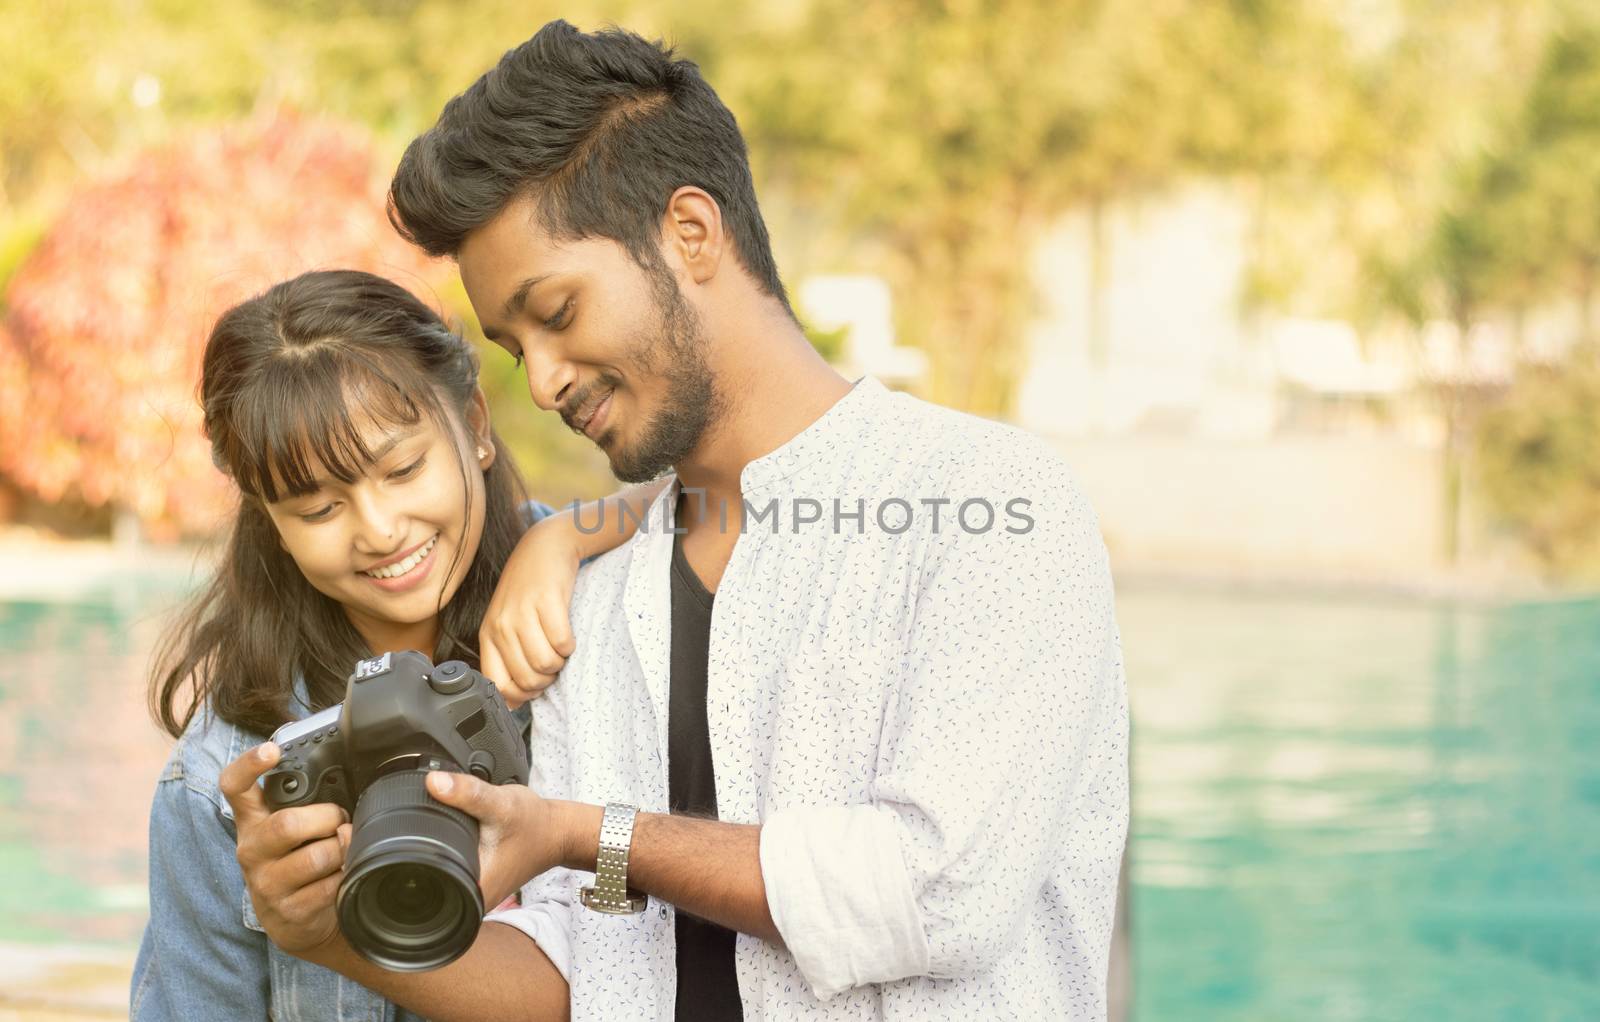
(399, 713)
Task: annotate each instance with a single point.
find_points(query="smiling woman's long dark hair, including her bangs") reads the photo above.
(289, 381)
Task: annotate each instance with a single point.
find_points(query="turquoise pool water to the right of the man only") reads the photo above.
(1364, 810)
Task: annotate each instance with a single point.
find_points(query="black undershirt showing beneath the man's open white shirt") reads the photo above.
(708, 986)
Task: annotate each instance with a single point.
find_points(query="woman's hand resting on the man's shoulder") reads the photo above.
(527, 634)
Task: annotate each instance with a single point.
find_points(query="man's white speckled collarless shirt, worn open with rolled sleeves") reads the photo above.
(927, 717)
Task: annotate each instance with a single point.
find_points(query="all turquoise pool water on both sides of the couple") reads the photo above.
(1345, 810)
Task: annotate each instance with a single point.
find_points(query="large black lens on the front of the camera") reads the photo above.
(410, 898)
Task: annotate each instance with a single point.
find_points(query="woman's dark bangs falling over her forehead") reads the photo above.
(313, 420)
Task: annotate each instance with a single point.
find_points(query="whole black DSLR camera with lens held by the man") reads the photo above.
(410, 896)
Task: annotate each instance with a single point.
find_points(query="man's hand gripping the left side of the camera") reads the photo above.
(292, 860)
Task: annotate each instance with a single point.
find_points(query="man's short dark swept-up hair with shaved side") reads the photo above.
(601, 129)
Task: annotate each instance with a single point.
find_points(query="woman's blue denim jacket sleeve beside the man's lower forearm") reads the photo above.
(198, 959)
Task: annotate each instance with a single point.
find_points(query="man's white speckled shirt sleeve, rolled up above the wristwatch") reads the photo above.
(1004, 757)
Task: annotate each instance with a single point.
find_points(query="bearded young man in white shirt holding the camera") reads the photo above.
(854, 738)
